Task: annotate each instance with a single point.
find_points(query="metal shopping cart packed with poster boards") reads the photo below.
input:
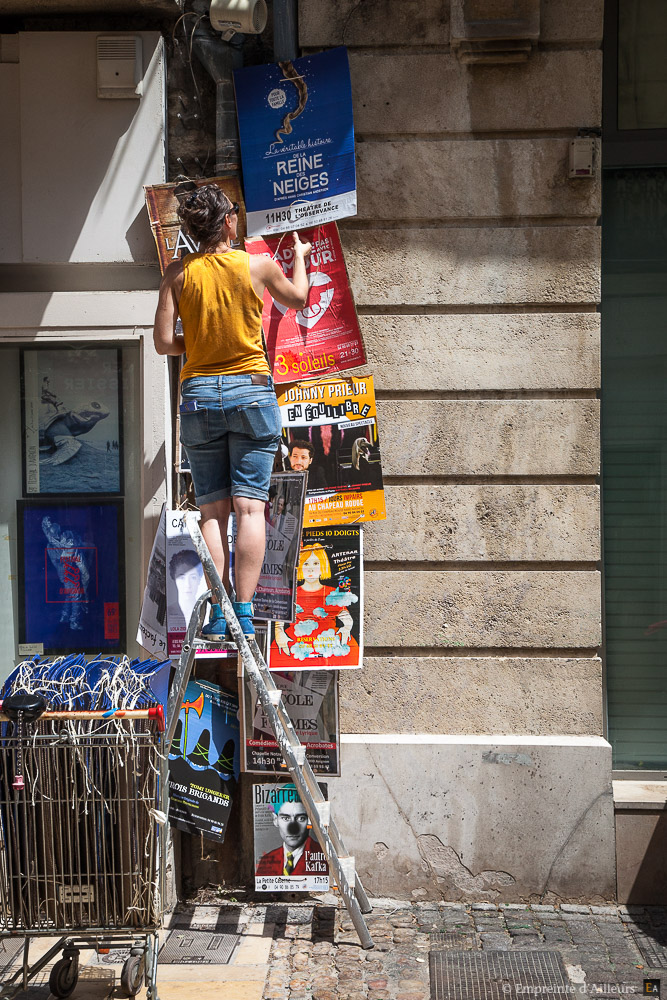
(82, 838)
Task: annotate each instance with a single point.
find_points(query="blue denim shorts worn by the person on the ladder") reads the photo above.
(231, 437)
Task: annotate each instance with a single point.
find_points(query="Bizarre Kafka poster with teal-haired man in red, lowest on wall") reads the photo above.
(287, 856)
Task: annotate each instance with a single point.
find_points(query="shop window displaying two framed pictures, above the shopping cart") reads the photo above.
(70, 500)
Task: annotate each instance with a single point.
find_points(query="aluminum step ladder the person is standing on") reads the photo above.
(341, 864)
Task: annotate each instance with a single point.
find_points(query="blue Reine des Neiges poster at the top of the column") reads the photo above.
(297, 142)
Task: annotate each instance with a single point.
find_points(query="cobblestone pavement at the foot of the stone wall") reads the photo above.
(316, 953)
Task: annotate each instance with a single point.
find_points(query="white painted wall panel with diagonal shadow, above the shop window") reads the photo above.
(73, 174)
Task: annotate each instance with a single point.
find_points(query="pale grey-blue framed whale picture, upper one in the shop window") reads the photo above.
(72, 420)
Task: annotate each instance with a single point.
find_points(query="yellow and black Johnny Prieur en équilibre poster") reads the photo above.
(330, 431)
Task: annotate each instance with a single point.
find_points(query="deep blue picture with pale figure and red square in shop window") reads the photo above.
(71, 571)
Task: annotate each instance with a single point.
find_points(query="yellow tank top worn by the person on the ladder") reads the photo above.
(221, 315)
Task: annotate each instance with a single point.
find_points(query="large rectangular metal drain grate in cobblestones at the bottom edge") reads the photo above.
(495, 975)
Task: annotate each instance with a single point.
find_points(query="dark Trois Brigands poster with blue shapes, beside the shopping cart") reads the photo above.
(204, 761)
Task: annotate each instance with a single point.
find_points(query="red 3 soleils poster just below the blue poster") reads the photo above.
(324, 337)
